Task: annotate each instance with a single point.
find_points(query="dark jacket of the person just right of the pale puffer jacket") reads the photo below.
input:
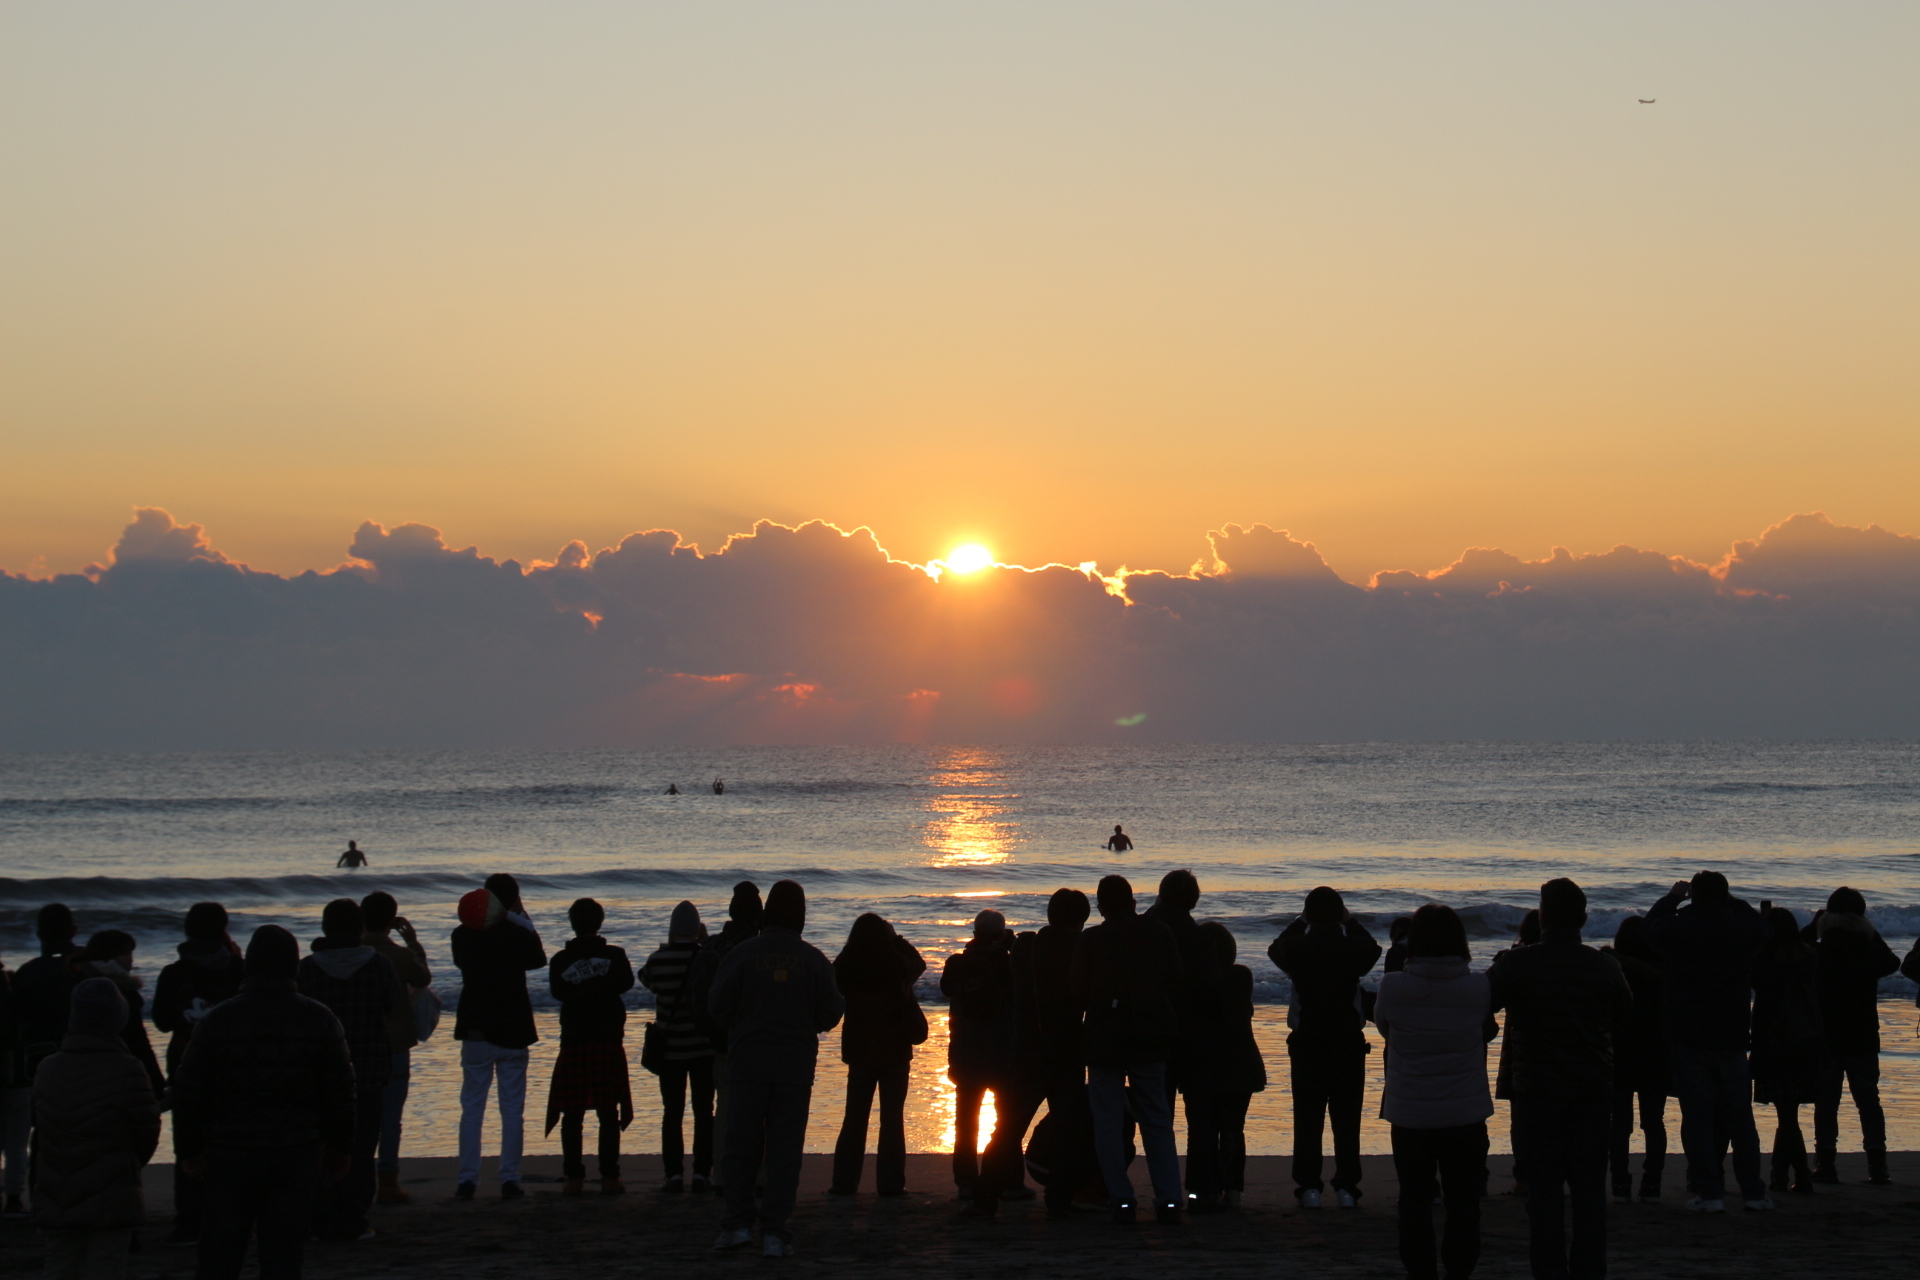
(1564, 1005)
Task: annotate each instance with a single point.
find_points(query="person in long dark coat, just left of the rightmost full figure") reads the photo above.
(1788, 1045)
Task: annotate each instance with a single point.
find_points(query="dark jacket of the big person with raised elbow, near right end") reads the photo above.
(1708, 959)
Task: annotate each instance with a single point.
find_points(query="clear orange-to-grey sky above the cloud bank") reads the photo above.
(1074, 281)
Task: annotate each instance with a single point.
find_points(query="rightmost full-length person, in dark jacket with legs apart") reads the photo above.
(1854, 959)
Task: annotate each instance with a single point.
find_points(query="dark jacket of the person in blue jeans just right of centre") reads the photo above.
(1128, 978)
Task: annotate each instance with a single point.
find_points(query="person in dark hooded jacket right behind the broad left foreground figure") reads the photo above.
(362, 989)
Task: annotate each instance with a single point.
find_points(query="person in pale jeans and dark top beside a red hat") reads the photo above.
(494, 949)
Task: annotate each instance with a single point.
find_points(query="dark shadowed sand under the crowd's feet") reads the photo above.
(1852, 1229)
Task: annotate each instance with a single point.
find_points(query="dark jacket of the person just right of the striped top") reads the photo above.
(777, 997)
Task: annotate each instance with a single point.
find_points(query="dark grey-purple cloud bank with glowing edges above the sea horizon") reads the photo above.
(817, 636)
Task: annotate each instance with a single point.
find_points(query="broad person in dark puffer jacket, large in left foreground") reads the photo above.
(264, 1108)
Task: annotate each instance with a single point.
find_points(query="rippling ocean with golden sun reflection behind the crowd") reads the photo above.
(930, 836)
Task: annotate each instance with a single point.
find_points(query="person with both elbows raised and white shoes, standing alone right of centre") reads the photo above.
(1326, 953)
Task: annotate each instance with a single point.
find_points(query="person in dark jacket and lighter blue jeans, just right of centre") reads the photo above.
(1126, 978)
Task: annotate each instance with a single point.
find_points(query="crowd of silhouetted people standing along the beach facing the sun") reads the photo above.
(287, 1070)
